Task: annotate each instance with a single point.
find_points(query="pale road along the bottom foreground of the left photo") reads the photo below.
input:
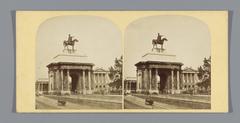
(43, 102)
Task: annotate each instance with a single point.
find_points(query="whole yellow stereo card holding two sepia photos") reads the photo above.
(121, 61)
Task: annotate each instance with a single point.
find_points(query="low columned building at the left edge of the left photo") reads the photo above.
(42, 86)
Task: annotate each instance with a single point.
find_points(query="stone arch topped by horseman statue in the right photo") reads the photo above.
(158, 71)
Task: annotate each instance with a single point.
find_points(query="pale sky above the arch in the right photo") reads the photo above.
(188, 38)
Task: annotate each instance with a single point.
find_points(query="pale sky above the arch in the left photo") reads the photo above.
(99, 39)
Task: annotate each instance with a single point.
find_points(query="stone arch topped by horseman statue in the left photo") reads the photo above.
(70, 72)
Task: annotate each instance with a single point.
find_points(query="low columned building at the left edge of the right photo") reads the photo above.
(130, 84)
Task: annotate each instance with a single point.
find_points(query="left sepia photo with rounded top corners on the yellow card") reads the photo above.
(78, 63)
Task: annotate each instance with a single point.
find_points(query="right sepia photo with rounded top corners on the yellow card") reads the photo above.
(167, 63)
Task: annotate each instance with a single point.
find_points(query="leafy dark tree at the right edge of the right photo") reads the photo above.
(205, 74)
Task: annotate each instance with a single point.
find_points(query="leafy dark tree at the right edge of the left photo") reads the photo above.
(116, 73)
